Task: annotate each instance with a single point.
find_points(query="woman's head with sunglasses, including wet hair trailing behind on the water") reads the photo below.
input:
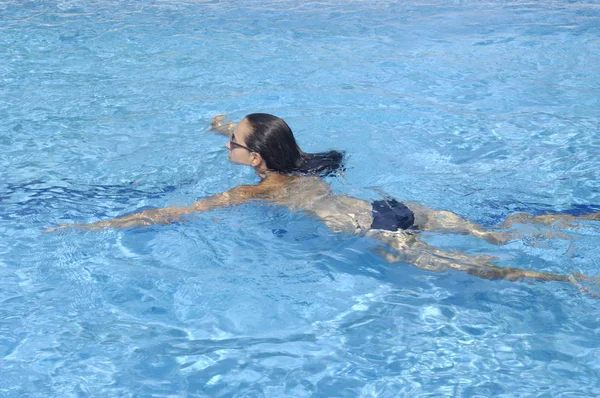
(266, 142)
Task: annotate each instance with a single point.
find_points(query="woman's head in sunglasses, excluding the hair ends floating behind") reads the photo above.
(270, 138)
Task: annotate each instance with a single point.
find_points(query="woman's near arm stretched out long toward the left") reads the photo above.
(167, 215)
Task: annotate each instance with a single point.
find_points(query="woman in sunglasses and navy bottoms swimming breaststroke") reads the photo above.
(292, 178)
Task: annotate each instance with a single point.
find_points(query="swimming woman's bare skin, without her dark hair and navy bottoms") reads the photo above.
(312, 196)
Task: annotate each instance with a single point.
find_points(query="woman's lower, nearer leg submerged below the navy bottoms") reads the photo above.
(411, 250)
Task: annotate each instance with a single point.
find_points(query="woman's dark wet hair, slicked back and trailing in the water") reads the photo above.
(274, 140)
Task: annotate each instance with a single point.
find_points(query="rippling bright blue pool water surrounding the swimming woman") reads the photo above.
(481, 108)
